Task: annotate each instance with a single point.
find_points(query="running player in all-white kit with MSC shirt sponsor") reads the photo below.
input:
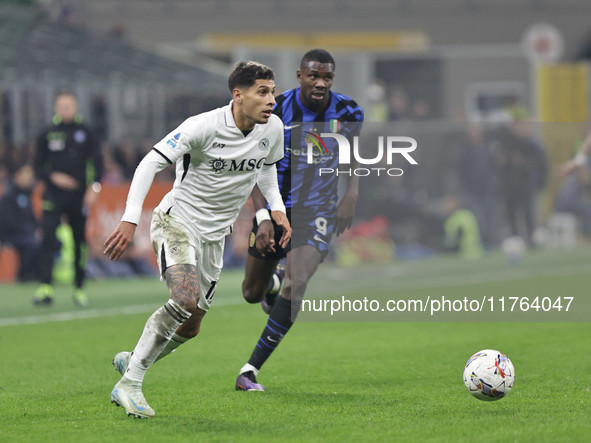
(220, 155)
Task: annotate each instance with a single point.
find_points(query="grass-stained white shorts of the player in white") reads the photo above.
(175, 245)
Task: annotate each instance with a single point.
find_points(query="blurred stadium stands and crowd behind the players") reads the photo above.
(459, 75)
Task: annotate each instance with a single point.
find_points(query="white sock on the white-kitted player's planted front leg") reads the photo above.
(158, 330)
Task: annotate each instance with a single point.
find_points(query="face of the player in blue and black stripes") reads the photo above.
(315, 81)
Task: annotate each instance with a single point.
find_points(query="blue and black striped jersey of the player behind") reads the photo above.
(300, 183)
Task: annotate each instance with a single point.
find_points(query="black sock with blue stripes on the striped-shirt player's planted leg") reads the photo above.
(277, 326)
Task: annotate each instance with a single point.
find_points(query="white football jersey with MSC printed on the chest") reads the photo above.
(216, 168)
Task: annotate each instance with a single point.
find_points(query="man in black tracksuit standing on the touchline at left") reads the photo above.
(68, 160)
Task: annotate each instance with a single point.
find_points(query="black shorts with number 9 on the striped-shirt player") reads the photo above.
(314, 229)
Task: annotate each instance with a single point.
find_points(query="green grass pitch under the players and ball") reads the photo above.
(328, 381)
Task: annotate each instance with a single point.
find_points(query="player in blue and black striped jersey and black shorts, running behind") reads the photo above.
(310, 200)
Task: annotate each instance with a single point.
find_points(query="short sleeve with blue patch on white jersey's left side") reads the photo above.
(189, 135)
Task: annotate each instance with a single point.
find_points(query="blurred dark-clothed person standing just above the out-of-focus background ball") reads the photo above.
(479, 182)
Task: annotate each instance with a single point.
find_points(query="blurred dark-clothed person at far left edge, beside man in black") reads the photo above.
(18, 224)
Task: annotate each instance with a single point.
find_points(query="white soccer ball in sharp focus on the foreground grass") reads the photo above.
(489, 375)
